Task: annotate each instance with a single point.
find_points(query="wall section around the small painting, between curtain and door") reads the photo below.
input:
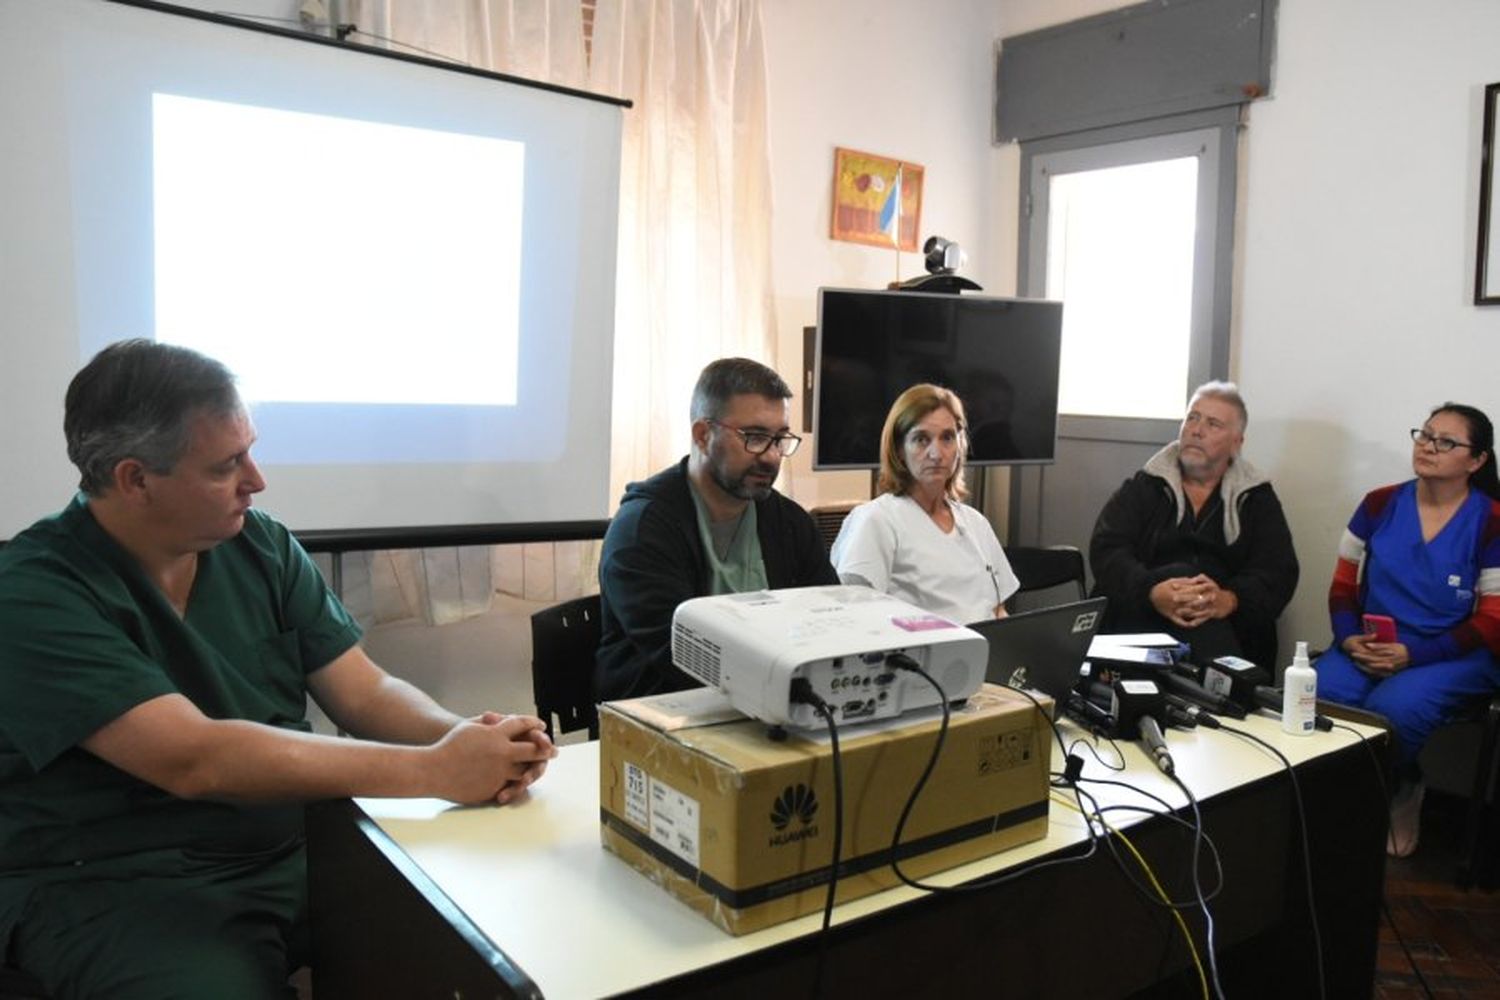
(907, 80)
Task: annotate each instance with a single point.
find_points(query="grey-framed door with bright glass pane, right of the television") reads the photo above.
(1129, 227)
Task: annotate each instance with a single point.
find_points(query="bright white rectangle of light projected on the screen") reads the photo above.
(344, 313)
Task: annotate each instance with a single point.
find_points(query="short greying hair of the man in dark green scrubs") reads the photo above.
(137, 400)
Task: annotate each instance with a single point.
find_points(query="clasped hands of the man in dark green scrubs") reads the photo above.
(493, 758)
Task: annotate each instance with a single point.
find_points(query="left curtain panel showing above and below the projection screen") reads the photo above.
(524, 38)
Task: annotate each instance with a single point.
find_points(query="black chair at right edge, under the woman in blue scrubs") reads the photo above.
(1463, 758)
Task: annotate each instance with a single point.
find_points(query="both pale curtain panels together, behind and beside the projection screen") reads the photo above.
(695, 230)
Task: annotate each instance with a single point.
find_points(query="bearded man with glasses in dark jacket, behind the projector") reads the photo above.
(712, 524)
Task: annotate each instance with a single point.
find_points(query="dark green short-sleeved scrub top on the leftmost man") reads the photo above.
(86, 636)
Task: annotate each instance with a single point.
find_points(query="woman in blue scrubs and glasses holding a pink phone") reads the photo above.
(1427, 555)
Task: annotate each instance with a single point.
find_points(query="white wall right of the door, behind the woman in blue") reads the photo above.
(1360, 229)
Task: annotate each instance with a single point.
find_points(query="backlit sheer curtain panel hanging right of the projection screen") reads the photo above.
(695, 209)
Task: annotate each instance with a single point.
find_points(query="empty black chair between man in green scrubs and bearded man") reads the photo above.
(563, 644)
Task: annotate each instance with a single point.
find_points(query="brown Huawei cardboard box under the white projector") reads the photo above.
(740, 827)
